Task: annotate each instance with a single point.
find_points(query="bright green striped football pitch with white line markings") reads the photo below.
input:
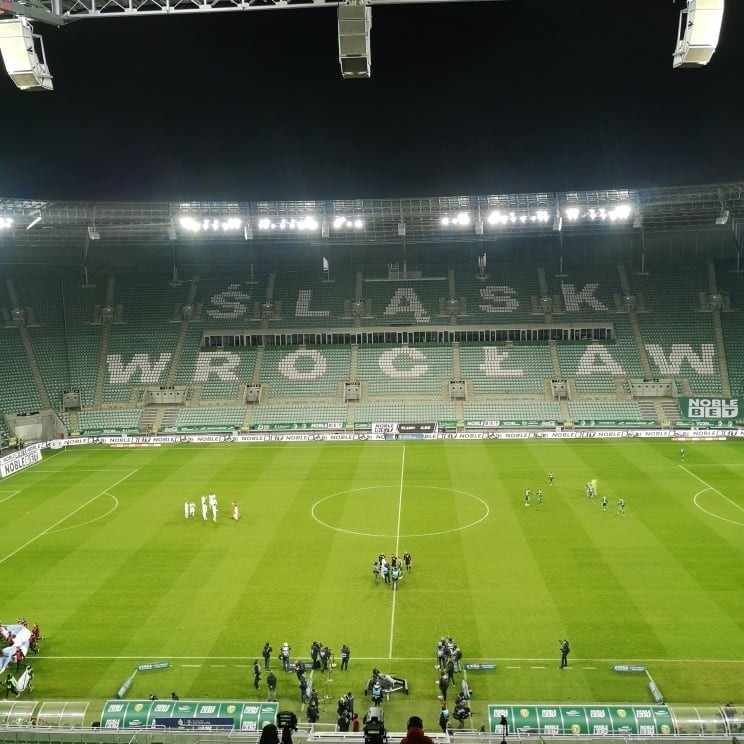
(96, 549)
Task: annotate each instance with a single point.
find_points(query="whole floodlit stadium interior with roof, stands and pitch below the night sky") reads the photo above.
(378, 377)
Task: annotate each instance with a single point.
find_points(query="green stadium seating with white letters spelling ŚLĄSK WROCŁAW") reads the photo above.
(151, 340)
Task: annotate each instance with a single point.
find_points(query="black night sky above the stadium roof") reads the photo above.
(480, 97)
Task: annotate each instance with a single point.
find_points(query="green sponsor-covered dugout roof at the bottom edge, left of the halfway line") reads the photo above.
(187, 714)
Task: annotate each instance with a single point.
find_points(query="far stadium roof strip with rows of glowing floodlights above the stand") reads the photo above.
(39, 223)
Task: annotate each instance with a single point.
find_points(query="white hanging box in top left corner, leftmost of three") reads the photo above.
(23, 54)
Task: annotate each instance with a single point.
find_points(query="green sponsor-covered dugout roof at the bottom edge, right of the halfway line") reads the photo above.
(589, 720)
